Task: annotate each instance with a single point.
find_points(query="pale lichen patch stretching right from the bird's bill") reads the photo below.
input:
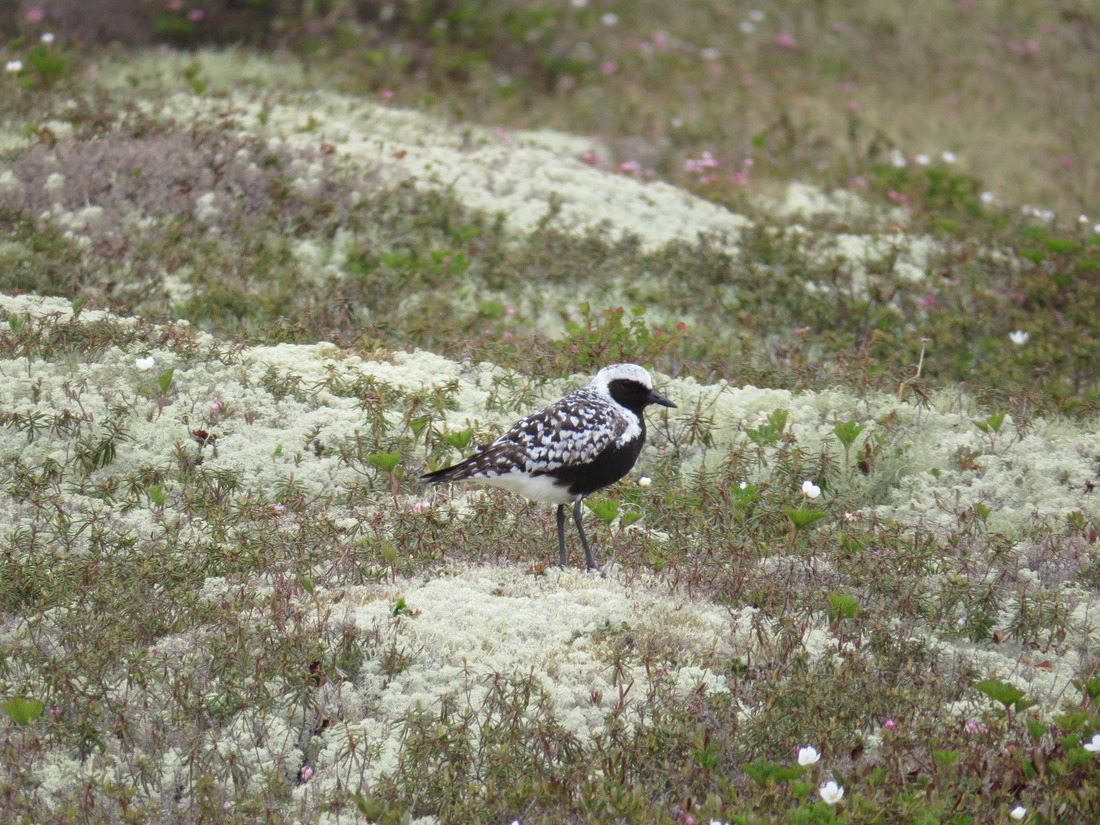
(1043, 472)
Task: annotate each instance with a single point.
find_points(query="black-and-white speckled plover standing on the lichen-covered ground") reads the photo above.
(585, 443)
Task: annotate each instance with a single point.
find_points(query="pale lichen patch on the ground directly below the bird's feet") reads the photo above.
(463, 630)
